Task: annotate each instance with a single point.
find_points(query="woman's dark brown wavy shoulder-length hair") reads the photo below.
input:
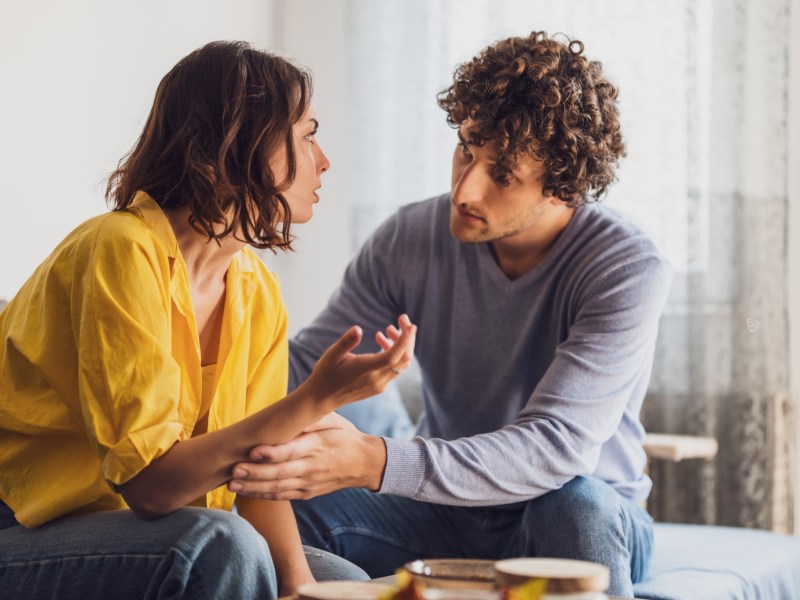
(217, 118)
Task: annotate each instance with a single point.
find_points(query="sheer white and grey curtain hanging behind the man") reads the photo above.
(704, 107)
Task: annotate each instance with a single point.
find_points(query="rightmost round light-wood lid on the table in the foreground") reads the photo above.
(562, 575)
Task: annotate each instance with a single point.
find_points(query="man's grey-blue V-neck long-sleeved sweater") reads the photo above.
(526, 383)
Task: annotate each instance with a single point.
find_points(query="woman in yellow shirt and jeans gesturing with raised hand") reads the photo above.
(148, 354)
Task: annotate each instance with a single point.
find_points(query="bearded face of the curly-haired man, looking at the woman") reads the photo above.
(483, 209)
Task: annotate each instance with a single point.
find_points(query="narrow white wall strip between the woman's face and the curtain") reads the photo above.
(312, 33)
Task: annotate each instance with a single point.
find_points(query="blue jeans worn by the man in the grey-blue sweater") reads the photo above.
(586, 519)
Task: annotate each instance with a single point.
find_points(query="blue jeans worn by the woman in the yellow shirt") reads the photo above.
(195, 553)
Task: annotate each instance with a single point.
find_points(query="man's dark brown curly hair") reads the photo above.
(540, 98)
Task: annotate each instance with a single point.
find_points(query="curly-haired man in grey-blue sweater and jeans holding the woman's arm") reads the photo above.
(537, 314)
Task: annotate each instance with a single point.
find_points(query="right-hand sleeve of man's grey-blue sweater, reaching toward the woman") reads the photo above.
(575, 408)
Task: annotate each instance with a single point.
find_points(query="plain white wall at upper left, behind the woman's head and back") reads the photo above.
(77, 81)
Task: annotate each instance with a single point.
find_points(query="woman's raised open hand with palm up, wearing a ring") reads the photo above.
(341, 377)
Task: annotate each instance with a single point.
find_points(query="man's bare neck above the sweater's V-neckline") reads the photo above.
(518, 254)
